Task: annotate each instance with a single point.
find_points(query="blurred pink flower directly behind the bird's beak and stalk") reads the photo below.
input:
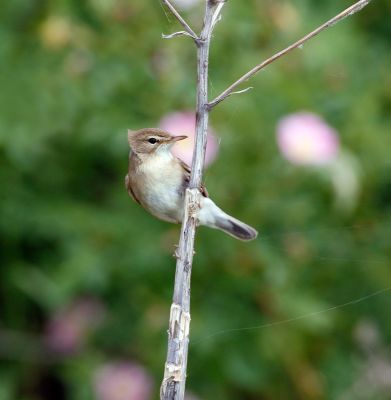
(183, 123)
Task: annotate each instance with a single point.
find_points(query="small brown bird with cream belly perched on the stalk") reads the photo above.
(157, 180)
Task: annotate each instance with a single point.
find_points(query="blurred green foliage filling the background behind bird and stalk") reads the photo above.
(68, 228)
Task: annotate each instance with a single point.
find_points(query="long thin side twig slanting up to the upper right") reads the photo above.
(347, 13)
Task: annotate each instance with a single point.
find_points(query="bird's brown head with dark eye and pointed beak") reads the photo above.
(150, 140)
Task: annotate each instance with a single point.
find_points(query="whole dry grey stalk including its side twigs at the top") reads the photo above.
(173, 385)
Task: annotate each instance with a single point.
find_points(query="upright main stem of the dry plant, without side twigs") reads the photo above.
(173, 385)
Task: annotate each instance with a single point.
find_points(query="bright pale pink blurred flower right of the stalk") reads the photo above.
(306, 139)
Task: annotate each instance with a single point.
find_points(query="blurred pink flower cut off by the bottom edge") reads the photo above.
(122, 381)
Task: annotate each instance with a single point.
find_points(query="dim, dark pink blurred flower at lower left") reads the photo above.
(68, 328)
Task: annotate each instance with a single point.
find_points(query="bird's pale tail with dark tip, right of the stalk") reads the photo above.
(212, 216)
